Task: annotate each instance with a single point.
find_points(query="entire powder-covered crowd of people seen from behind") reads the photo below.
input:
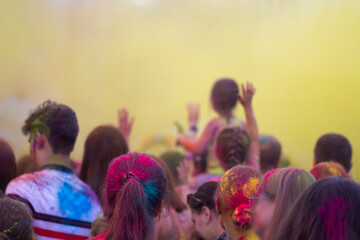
(226, 183)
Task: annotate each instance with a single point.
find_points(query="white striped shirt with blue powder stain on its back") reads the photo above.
(63, 206)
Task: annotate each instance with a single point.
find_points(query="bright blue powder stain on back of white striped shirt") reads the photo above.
(73, 204)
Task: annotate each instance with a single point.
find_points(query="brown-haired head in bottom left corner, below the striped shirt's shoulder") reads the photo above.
(15, 220)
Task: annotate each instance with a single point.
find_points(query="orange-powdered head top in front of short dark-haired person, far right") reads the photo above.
(327, 169)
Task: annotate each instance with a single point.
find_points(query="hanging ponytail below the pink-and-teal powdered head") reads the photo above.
(130, 214)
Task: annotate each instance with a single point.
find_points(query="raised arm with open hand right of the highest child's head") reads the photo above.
(245, 99)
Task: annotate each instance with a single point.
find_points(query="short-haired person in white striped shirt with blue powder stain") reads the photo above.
(62, 205)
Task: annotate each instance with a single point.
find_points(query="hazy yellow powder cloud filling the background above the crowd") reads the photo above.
(151, 56)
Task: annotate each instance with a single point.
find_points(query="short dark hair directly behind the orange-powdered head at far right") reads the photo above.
(333, 147)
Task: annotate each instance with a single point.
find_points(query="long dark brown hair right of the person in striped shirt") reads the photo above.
(102, 145)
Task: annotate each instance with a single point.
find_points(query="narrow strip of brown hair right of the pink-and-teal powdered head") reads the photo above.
(173, 198)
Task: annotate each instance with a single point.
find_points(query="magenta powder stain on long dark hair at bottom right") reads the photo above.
(334, 212)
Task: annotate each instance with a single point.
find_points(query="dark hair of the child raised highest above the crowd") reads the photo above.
(224, 95)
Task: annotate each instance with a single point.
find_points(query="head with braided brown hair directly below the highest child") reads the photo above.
(232, 146)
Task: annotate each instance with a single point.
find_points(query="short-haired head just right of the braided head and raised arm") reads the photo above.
(270, 151)
